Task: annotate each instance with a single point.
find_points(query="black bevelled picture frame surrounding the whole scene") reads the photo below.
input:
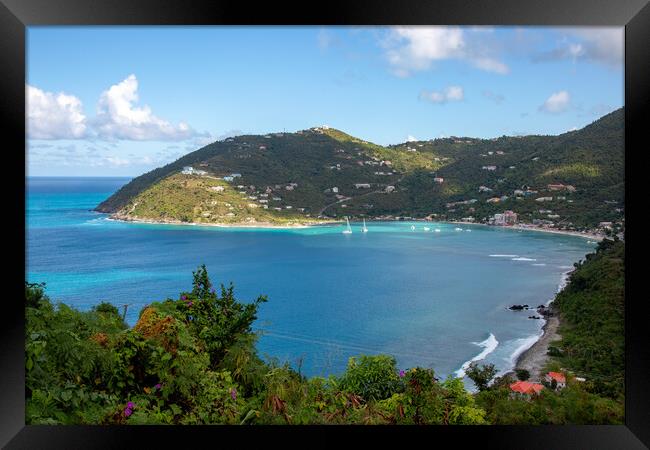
(16, 15)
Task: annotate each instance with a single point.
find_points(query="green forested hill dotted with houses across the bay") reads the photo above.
(323, 172)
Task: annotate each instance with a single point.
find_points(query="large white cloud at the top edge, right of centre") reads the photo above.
(415, 48)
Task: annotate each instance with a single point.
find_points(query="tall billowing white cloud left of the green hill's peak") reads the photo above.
(118, 117)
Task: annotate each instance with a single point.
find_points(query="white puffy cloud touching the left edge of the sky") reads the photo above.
(54, 116)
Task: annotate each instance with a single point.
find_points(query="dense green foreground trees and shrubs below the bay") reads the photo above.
(192, 360)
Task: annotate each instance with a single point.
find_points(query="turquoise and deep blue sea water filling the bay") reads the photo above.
(432, 299)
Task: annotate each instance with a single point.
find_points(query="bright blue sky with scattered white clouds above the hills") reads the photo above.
(120, 101)
